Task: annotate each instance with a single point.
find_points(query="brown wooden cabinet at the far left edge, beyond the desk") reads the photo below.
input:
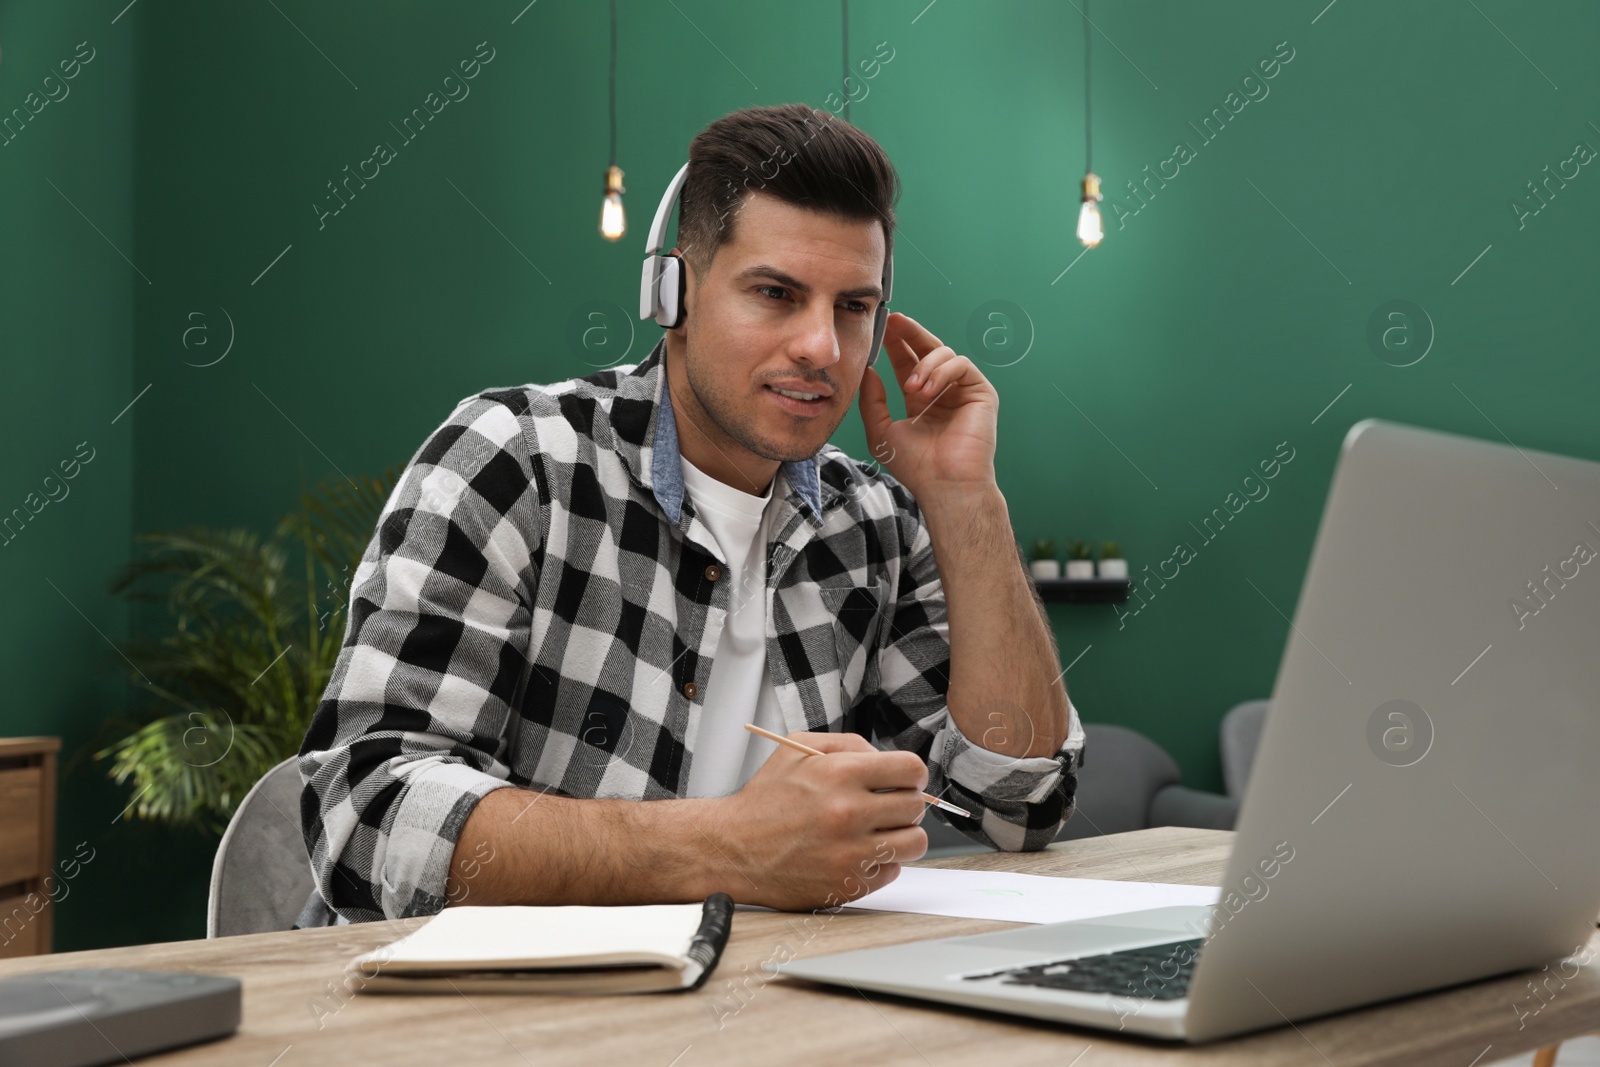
(28, 844)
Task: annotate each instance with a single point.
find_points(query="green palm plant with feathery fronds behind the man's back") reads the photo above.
(230, 690)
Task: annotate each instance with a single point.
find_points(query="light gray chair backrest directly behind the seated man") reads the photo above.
(262, 876)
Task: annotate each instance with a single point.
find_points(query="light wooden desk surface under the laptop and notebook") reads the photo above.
(294, 983)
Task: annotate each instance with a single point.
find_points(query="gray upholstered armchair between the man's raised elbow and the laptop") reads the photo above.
(1127, 783)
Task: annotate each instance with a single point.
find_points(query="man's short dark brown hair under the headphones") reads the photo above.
(798, 154)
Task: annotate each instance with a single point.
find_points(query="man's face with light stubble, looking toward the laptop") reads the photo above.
(788, 305)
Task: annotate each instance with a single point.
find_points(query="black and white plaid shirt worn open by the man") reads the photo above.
(540, 607)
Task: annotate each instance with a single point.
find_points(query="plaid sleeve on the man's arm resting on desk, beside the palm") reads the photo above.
(410, 732)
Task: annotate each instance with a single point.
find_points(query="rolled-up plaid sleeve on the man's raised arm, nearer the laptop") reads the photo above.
(1017, 804)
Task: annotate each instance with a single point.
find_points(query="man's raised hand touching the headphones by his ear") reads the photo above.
(946, 442)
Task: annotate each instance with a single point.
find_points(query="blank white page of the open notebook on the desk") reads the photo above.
(548, 937)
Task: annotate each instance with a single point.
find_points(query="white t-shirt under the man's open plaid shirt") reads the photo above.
(740, 689)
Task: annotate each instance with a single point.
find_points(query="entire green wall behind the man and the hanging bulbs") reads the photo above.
(1222, 319)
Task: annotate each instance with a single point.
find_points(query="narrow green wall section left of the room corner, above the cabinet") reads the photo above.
(68, 302)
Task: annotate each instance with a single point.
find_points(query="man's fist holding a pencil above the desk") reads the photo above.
(810, 833)
